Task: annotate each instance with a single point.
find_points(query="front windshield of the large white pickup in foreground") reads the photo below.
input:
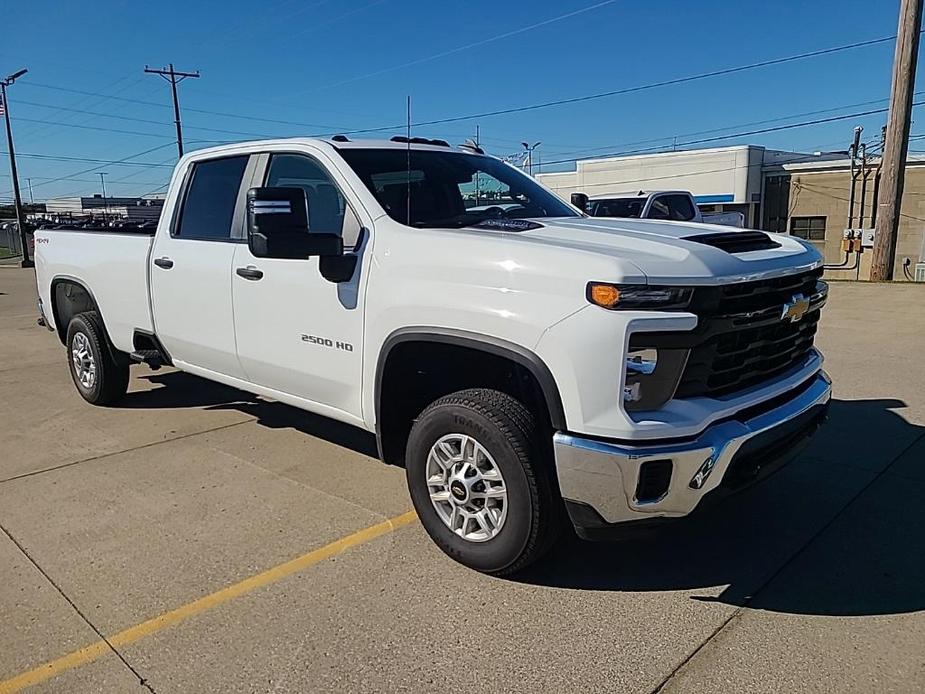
(450, 189)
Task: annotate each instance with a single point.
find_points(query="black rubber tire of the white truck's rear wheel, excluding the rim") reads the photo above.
(110, 381)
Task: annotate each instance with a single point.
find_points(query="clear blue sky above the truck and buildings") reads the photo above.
(339, 65)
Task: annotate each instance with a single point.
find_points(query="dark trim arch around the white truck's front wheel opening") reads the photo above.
(485, 343)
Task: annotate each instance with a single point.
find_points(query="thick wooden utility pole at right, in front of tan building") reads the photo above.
(897, 140)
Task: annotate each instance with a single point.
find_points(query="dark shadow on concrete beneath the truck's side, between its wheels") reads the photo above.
(181, 390)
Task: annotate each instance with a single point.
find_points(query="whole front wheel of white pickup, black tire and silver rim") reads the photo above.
(479, 483)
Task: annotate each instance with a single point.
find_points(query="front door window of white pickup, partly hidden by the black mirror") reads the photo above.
(328, 211)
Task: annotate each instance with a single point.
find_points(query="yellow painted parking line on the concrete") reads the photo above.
(94, 651)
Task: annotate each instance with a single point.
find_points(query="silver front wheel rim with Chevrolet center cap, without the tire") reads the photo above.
(466, 487)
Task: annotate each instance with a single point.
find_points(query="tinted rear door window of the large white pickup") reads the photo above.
(208, 208)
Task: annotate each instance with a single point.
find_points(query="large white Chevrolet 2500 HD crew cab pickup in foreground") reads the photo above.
(521, 360)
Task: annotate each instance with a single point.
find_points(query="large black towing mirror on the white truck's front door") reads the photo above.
(277, 226)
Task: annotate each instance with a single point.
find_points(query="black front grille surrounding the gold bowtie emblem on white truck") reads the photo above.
(746, 339)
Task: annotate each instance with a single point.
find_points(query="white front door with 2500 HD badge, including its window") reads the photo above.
(298, 333)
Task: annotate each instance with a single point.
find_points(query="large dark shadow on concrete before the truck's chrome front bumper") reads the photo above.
(837, 532)
